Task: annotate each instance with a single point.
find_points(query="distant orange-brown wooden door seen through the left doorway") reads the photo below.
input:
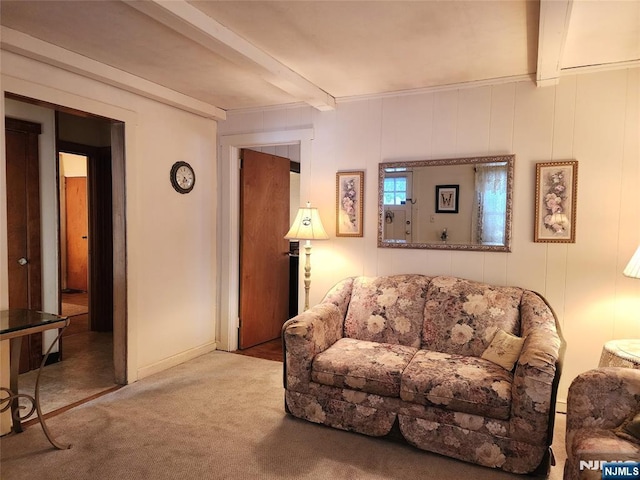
(77, 228)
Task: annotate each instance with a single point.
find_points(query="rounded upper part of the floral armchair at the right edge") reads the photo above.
(603, 398)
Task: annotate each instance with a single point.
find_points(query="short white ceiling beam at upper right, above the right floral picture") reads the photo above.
(552, 34)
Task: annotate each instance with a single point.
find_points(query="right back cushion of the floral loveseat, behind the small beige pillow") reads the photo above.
(462, 316)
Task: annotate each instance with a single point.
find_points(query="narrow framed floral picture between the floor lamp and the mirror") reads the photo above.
(349, 203)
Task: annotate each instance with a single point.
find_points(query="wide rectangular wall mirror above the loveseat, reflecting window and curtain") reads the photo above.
(452, 204)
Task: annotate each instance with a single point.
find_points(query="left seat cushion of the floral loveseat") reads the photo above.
(369, 367)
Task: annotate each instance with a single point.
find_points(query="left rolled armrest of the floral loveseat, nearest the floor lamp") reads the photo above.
(306, 335)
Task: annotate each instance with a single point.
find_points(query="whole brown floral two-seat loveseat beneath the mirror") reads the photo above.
(405, 352)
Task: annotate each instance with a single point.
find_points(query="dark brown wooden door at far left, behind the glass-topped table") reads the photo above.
(24, 259)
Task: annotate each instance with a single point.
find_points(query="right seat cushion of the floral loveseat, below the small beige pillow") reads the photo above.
(458, 383)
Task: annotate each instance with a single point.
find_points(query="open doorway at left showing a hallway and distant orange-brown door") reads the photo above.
(86, 246)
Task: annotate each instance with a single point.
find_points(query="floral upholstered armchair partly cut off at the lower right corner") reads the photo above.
(603, 421)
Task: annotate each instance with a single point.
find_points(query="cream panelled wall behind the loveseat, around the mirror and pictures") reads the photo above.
(592, 118)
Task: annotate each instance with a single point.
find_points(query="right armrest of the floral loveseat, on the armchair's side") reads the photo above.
(535, 381)
